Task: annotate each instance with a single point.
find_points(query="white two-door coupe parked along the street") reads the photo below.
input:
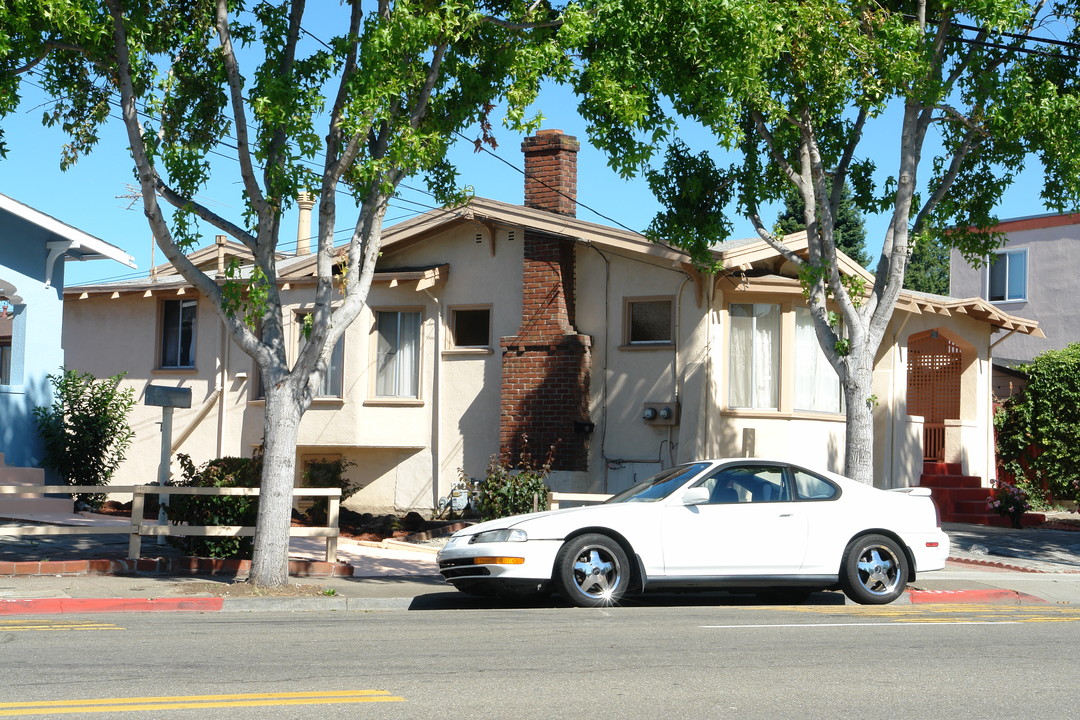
(742, 524)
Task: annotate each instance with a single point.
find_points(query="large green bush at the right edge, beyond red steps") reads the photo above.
(1038, 431)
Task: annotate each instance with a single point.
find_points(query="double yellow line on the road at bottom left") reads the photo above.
(192, 702)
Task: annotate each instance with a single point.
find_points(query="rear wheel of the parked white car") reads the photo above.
(874, 570)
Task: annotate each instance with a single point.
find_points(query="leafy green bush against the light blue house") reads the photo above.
(86, 430)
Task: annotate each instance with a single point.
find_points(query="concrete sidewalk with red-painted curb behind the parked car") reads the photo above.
(988, 566)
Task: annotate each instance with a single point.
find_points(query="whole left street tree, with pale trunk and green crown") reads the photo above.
(345, 117)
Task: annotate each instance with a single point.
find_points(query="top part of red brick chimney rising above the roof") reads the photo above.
(551, 172)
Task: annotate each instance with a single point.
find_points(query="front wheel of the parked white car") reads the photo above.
(592, 570)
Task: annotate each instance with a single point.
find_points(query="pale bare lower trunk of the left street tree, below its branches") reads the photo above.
(271, 560)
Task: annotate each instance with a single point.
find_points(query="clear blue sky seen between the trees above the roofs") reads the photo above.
(90, 195)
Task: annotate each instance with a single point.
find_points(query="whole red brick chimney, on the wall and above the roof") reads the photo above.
(546, 368)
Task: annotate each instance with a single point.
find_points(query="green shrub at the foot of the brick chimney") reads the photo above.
(514, 488)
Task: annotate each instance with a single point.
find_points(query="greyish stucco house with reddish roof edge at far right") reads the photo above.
(1031, 276)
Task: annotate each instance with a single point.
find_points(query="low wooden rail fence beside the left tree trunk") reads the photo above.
(141, 528)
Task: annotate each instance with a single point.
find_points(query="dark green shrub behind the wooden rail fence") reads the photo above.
(221, 510)
